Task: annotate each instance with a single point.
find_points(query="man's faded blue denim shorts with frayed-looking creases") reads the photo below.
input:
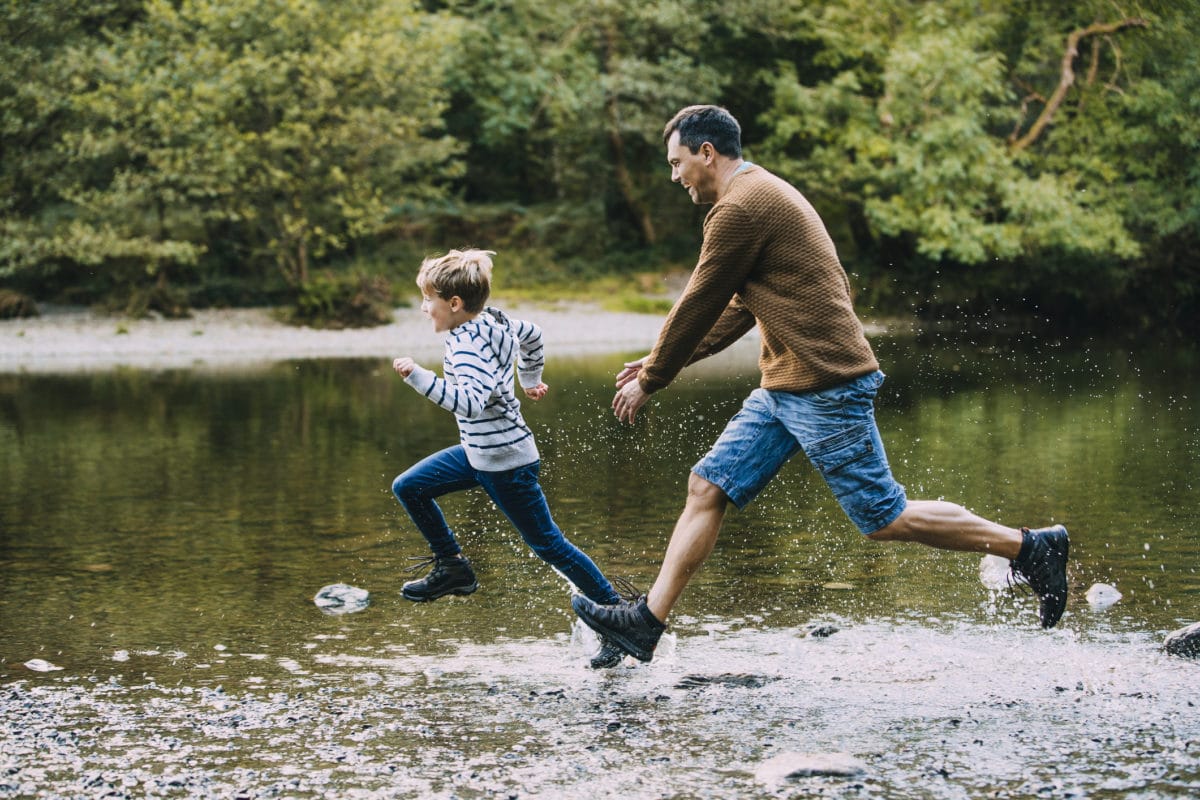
(835, 428)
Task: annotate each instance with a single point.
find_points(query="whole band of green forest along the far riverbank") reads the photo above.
(1030, 159)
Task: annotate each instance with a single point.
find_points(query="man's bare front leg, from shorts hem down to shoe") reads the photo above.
(692, 543)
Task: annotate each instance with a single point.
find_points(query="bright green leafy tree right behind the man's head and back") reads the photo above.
(910, 130)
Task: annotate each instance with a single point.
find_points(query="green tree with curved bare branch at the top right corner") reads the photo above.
(1120, 91)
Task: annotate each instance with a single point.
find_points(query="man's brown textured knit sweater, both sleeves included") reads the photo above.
(767, 258)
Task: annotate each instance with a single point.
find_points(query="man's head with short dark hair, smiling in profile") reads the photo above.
(704, 148)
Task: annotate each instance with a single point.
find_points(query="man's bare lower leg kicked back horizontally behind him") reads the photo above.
(951, 527)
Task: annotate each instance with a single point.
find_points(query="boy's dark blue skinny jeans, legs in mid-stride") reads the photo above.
(517, 494)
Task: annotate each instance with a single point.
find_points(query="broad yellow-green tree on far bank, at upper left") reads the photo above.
(292, 128)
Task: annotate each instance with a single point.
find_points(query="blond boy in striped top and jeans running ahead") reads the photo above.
(497, 449)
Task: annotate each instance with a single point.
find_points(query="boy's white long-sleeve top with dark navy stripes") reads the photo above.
(478, 388)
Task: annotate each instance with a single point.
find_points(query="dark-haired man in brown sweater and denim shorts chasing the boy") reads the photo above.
(767, 261)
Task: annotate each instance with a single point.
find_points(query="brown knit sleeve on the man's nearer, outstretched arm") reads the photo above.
(727, 258)
